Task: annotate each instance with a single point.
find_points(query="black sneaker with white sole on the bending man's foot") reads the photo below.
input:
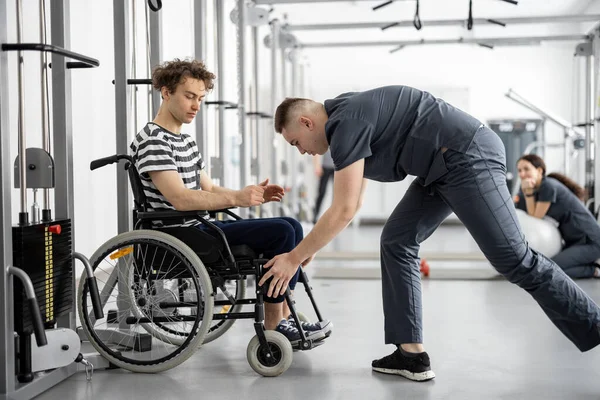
(416, 368)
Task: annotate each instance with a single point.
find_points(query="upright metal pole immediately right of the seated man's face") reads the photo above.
(220, 24)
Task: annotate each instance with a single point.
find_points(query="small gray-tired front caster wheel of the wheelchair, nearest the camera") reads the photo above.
(275, 363)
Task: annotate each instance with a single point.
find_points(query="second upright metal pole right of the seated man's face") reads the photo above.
(241, 92)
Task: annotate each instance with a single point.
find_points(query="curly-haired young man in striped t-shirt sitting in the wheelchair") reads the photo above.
(173, 178)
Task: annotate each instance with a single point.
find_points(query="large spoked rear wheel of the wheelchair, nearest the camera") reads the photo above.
(138, 274)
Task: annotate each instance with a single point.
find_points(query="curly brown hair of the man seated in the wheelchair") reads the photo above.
(171, 73)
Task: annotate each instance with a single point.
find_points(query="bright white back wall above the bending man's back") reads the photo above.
(542, 74)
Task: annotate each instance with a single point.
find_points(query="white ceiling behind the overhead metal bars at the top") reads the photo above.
(312, 12)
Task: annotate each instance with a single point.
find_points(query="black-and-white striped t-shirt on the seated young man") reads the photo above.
(156, 149)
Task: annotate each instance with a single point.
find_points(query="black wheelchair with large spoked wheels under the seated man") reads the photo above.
(167, 288)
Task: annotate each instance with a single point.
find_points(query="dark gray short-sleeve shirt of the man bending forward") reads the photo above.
(398, 130)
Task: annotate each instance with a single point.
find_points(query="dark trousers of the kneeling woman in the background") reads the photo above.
(578, 260)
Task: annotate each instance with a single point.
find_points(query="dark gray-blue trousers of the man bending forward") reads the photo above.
(475, 190)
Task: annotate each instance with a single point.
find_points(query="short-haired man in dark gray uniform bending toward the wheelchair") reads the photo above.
(386, 134)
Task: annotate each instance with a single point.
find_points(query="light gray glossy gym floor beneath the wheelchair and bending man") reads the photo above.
(487, 339)
